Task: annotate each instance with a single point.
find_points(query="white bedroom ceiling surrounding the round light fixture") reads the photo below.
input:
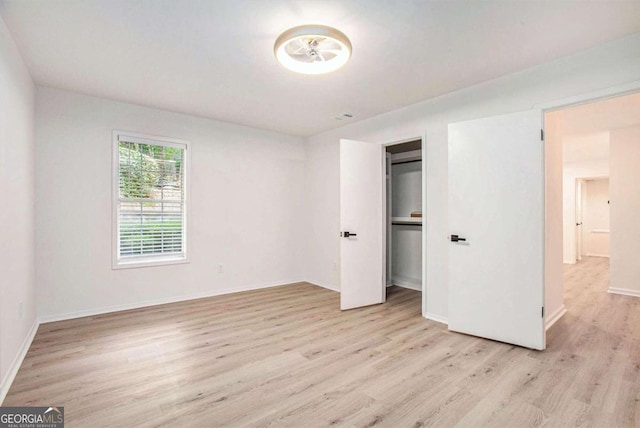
(215, 58)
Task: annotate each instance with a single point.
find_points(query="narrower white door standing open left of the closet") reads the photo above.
(362, 215)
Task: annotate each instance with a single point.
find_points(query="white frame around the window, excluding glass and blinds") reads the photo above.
(151, 260)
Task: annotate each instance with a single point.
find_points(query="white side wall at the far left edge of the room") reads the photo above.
(17, 269)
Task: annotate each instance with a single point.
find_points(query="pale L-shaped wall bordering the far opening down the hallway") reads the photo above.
(571, 172)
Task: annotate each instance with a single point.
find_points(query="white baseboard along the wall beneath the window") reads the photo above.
(162, 301)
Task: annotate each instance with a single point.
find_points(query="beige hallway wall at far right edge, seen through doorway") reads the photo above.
(625, 205)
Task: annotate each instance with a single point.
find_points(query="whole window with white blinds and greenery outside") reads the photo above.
(150, 200)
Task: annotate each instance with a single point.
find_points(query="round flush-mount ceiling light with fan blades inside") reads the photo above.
(312, 49)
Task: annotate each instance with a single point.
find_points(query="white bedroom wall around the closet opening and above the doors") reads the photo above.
(608, 65)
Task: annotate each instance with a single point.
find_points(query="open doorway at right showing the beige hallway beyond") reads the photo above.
(592, 153)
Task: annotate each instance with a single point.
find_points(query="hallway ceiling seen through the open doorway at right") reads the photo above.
(586, 127)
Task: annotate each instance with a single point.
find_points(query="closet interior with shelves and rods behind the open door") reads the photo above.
(404, 215)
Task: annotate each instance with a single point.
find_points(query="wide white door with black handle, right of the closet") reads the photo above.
(496, 204)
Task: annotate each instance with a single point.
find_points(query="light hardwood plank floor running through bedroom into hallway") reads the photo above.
(287, 356)
